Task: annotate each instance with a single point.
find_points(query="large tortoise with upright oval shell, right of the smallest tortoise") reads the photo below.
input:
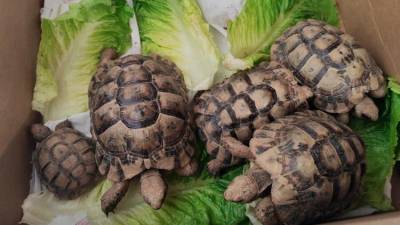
(141, 122)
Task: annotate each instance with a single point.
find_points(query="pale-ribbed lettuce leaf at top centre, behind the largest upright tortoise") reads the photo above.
(176, 29)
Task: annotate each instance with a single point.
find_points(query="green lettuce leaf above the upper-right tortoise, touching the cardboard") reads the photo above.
(261, 22)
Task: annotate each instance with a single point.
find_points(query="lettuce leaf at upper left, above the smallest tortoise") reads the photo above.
(70, 50)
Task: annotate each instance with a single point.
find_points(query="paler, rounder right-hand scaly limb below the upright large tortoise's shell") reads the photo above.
(153, 188)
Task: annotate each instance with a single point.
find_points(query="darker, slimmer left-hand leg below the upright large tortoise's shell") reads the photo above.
(113, 196)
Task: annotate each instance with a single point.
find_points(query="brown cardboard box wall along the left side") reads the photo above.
(19, 36)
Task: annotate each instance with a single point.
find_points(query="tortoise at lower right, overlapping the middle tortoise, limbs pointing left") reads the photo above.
(306, 167)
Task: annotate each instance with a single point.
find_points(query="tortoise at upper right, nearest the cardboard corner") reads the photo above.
(340, 72)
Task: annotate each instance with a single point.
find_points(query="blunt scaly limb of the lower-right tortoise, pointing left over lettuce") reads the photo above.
(249, 186)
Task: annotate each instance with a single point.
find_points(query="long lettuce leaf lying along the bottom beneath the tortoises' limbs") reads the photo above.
(190, 200)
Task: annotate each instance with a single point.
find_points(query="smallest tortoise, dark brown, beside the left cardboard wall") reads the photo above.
(64, 160)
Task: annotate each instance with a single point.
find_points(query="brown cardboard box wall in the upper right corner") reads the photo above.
(376, 25)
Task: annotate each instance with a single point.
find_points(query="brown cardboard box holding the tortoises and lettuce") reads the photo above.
(375, 23)
